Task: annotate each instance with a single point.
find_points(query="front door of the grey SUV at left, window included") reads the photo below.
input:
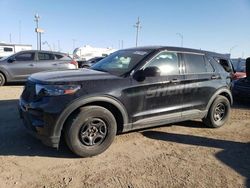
(22, 66)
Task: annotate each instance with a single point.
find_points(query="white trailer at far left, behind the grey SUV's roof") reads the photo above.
(9, 49)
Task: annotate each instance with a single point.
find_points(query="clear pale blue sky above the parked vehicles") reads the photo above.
(216, 25)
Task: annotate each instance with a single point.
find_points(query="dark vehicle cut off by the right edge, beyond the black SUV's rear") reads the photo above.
(241, 87)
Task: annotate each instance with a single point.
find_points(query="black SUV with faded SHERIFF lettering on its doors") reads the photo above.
(130, 89)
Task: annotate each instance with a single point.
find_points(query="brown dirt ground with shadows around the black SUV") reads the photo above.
(181, 155)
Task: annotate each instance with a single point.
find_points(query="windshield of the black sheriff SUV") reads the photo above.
(121, 62)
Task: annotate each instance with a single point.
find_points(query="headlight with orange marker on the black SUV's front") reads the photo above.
(55, 90)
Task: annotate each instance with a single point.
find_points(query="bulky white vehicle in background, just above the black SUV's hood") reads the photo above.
(87, 52)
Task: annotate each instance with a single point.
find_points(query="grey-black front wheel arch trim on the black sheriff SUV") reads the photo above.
(110, 103)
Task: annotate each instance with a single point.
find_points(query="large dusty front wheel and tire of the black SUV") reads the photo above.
(91, 131)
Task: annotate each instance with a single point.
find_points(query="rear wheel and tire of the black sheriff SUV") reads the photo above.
(218, 113)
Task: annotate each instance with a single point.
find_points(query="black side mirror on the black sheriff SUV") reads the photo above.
(147, 72)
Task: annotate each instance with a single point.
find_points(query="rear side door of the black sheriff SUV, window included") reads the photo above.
(201, 82)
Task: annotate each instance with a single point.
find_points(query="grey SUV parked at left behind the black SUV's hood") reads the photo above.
(17, 67)
